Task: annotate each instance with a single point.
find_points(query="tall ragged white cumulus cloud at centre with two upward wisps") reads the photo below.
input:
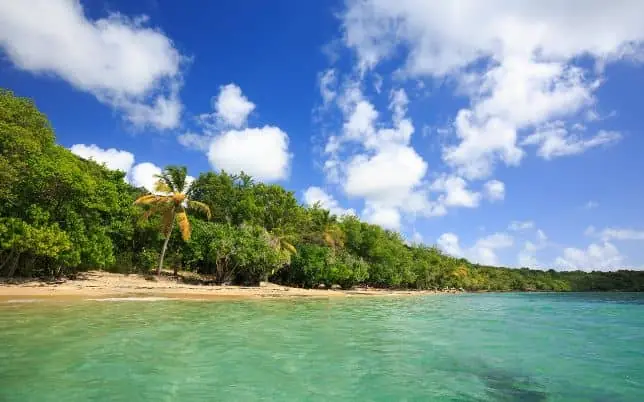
(374, 161)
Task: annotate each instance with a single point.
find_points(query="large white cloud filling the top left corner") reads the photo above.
(131, 67)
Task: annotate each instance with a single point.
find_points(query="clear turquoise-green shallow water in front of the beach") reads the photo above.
(512, 347)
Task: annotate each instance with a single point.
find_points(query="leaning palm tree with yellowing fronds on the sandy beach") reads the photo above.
(171, 202)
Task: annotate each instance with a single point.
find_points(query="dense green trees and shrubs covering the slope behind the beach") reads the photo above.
(60, 214)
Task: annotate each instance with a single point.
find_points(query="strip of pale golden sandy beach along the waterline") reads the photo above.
(100, 285)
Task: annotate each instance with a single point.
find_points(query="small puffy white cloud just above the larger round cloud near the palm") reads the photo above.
(232, 108)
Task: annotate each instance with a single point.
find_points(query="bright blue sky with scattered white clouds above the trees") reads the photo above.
(507, 132)
